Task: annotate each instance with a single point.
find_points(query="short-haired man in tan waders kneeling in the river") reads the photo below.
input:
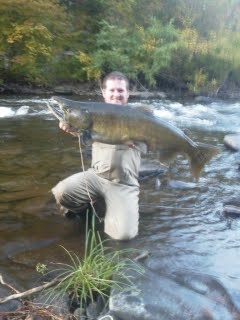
(113, 174)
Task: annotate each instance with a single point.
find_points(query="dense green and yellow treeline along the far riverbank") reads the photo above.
(186, 44)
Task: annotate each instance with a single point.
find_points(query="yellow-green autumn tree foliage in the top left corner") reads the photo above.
(28, 30)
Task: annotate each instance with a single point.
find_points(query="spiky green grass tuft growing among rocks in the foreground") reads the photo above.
(85, 279)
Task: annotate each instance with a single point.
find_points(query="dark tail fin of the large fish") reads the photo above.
(205, 152)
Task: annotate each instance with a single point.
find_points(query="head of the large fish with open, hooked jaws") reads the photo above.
(77, 118)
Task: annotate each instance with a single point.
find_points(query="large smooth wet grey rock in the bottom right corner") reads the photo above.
(170, 297)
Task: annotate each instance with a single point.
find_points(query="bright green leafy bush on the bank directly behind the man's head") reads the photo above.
(143, 52)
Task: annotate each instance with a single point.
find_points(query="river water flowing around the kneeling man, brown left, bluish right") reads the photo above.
(182, 223)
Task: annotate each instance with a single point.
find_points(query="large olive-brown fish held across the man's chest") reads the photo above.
(114, 124)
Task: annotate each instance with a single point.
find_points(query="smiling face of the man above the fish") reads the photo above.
(116, 92)
